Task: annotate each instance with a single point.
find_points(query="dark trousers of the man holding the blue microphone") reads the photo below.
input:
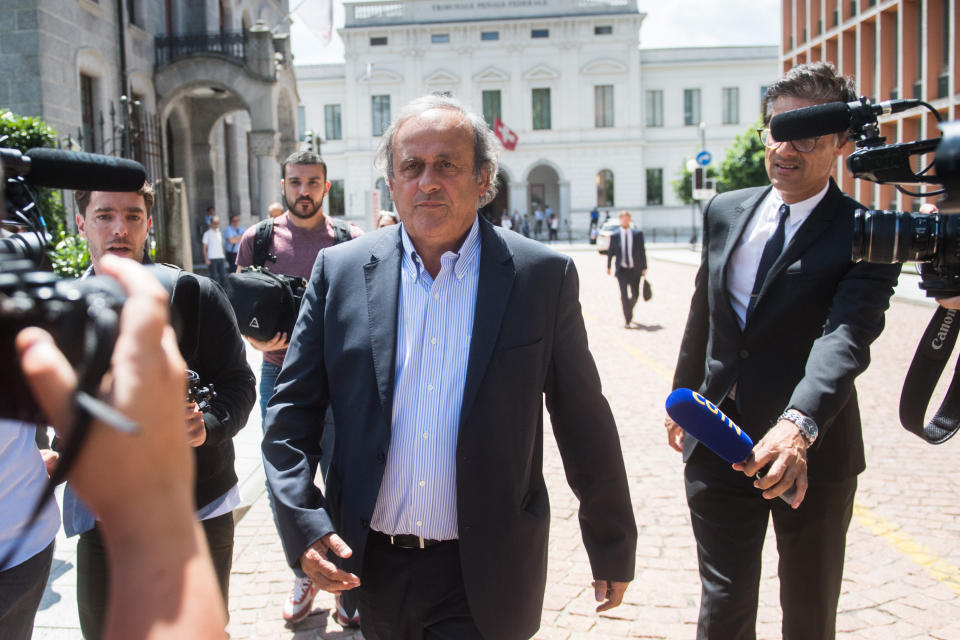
(729, 518)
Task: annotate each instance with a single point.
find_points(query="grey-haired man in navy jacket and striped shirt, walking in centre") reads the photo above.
(435, 342)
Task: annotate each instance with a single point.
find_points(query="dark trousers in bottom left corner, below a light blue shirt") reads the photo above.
(21, 589)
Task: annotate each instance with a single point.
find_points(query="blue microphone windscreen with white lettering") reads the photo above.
(704, 421)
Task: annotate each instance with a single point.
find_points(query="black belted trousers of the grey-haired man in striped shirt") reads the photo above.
(413, 594)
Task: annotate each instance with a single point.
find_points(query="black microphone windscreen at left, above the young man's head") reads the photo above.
(86, 171)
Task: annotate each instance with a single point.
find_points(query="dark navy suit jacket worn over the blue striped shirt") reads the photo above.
(528, 342)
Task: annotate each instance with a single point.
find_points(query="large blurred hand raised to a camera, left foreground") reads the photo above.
(146, 383)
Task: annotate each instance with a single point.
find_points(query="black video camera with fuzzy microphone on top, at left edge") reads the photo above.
(81, 315)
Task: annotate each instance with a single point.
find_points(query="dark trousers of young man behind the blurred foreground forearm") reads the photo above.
(93, 571)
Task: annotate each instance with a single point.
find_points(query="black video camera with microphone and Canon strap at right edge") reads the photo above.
(889, 237)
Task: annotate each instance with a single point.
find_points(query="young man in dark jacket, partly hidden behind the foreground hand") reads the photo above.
(117, 223)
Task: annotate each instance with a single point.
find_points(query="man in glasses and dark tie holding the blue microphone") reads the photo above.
(780, 324)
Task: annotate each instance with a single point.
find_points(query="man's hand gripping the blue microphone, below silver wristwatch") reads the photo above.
(785, 449)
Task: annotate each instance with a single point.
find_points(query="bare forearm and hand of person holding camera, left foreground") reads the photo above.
(140, 485)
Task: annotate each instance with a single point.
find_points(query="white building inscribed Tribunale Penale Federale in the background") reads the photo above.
(567, 76)
